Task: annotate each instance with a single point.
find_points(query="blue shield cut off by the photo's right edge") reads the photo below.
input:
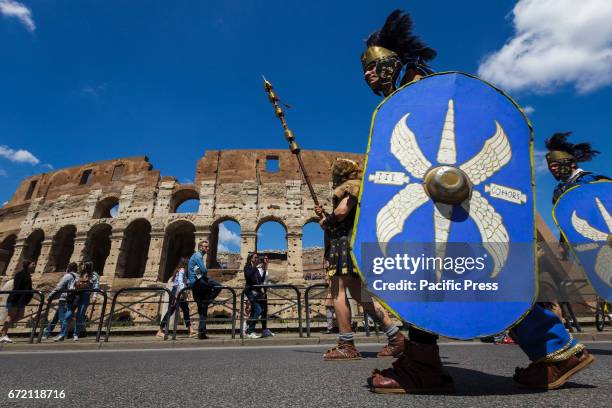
(584, 216)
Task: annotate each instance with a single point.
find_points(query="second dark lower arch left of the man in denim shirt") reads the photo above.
(134, 252)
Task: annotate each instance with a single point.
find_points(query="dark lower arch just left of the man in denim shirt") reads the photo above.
(179, 241)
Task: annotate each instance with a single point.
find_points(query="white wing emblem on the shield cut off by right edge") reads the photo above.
(603, 262)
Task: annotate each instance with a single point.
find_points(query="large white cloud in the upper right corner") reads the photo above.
(556, 43)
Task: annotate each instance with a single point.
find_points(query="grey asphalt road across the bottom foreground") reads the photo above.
(282, 376)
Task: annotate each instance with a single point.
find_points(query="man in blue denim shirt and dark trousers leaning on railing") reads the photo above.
(204, 289)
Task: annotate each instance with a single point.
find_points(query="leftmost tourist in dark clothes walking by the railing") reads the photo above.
(17, 302)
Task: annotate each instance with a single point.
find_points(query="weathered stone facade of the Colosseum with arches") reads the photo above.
(69, 215)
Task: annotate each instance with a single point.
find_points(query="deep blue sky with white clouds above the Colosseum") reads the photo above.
(86, 81)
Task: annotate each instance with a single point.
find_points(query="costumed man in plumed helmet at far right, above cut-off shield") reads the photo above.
(563, 158)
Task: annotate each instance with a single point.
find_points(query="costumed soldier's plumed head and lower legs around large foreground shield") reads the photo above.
(394, 52)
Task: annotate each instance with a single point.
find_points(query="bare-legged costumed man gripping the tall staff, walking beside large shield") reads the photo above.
(338, 226)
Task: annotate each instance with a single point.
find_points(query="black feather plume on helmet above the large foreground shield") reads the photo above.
(396, 35)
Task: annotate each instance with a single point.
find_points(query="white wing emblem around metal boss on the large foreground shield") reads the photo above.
(495, 154)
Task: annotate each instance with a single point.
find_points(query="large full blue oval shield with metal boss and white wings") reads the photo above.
(445, 233)
